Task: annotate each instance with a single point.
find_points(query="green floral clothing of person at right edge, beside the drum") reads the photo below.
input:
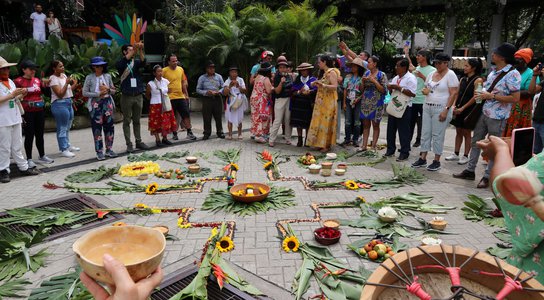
(526, 228)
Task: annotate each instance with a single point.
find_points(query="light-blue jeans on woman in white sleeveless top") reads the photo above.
(434, 131)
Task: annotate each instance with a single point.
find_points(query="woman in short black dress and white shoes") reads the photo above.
(464, 105)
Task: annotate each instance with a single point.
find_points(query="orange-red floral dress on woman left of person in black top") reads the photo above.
(261, 104)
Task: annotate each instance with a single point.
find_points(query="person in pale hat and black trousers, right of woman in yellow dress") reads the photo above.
(351, 102)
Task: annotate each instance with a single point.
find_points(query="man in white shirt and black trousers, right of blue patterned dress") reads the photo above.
(406, 83)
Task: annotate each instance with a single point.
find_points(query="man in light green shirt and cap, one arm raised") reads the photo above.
(421, 72)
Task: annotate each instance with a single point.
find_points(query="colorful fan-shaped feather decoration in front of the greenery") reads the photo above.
(129, 32)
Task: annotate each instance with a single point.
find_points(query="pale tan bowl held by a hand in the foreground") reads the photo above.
(140, 248)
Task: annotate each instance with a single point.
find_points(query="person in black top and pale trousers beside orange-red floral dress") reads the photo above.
(283, 83)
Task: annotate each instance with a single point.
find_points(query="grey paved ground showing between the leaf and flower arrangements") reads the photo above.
(257, 255)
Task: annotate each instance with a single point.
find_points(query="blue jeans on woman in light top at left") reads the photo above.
(64, 115)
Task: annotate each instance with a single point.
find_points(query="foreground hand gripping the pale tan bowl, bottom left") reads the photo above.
(124, 288)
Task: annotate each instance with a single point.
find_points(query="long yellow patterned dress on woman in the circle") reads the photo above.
(322, 131)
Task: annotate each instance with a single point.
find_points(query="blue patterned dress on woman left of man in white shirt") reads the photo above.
(372, 102)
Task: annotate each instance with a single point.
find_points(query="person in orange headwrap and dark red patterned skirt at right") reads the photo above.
(520, 116)
